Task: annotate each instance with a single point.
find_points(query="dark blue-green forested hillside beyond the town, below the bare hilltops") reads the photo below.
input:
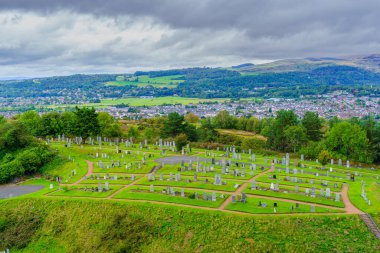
(204, 83)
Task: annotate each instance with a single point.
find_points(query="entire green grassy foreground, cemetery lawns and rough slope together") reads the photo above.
(271, 202)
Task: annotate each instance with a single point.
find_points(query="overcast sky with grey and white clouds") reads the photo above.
(59, 37)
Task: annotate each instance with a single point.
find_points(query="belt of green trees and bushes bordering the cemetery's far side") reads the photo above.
(22, 152)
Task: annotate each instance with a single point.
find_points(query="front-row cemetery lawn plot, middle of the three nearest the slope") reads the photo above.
(143, 193)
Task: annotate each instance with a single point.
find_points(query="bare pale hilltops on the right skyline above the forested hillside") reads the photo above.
(366, 62)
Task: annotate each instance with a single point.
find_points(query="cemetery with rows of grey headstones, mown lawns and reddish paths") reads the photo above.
(224, 179)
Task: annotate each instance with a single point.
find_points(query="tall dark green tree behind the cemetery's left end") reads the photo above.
(86, 122)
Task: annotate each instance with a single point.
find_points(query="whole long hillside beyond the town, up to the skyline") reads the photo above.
(292, 78)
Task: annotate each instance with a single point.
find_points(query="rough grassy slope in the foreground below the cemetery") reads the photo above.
(100, 226)
